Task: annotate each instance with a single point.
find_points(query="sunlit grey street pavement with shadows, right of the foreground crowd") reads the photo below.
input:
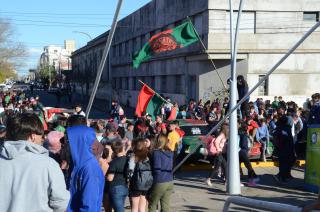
(192, 194)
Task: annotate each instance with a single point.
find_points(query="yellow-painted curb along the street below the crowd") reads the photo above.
(197, 167)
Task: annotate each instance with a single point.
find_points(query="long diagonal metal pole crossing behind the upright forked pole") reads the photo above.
(305, 36)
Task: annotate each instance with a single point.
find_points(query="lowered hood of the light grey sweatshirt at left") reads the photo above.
(14, 149)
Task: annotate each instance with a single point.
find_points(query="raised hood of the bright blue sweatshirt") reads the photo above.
(81, 139)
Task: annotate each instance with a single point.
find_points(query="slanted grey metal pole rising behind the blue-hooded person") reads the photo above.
(104, 58)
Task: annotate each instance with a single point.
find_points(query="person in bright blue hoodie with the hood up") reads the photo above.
(87, 178)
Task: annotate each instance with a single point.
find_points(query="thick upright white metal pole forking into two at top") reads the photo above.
(233, 179)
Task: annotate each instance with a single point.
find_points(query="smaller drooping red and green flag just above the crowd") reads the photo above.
(149, 102)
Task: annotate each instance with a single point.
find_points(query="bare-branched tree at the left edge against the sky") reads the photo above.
(11, 52)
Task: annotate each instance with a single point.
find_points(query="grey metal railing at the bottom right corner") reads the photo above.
(259, 204)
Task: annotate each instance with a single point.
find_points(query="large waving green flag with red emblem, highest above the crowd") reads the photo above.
(178, 37)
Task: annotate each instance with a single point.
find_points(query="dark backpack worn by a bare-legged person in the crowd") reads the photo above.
(142, 178)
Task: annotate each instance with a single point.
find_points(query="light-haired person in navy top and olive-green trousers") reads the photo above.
(162, 175)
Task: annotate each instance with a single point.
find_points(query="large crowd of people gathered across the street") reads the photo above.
(102, 162)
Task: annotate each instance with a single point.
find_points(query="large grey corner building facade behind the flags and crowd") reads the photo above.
(267, 30)
